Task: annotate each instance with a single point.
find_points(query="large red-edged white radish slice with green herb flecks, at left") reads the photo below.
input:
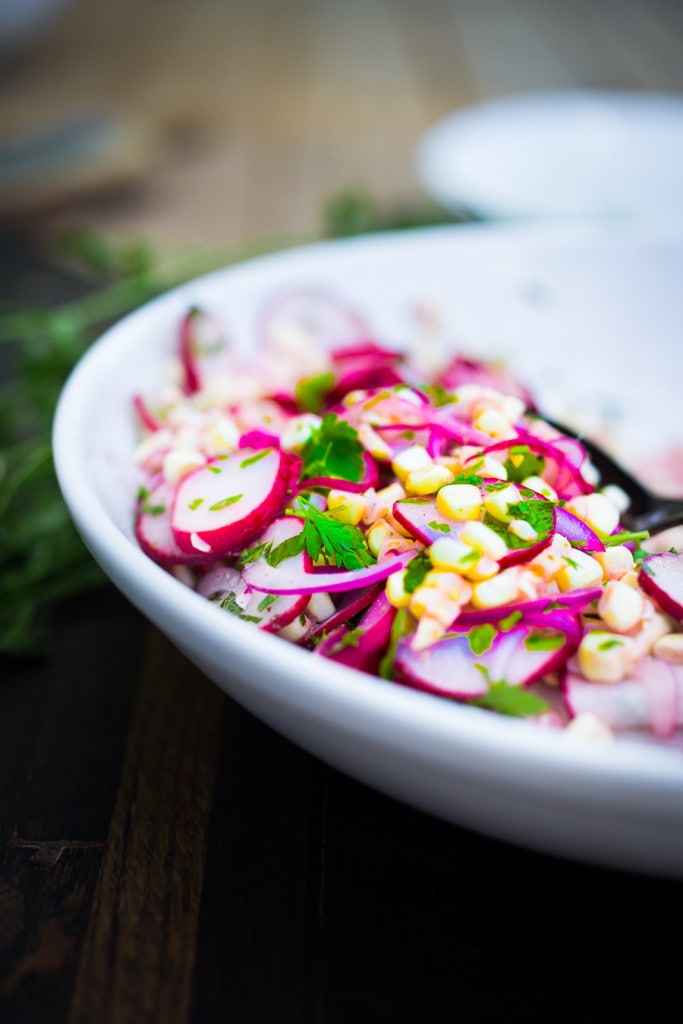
(224, 505)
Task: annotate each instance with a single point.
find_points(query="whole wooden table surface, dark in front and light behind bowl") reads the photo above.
(164, 857)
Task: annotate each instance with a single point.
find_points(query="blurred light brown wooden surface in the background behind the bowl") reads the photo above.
(246, 115)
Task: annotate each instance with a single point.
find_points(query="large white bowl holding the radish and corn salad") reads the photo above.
(585, 317)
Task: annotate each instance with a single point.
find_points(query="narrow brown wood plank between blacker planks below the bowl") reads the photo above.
(139, 956)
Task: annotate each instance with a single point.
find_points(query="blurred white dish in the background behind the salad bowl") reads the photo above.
(586, 155)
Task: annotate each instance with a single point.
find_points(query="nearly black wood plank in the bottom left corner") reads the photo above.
(63, 729)
